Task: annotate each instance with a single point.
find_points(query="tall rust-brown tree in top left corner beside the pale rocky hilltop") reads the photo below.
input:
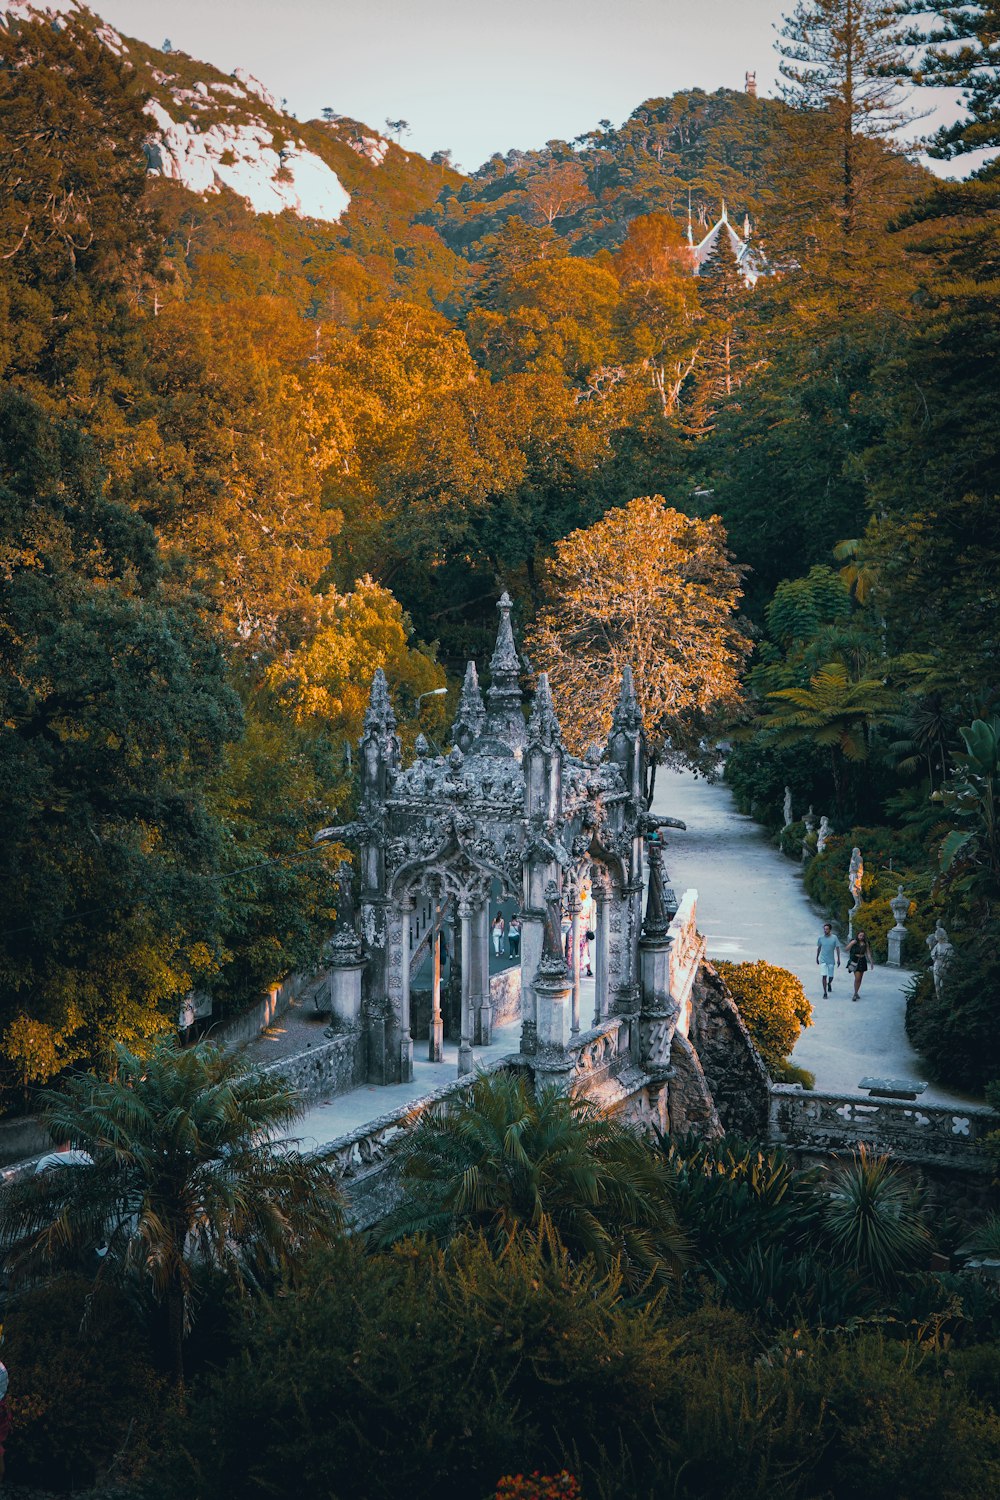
(77, 241)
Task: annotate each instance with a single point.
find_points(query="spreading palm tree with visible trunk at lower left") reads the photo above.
(182, 1169)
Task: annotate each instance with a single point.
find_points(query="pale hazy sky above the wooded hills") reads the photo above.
(473, 76)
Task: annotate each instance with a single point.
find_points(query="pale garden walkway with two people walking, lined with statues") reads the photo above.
(753, 905)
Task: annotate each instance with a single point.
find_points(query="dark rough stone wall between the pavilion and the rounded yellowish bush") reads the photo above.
(734, 1069)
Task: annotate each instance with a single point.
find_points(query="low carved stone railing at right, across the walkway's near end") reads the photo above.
(929, 1135)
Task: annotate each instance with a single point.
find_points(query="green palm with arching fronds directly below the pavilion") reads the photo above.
(507, 1157)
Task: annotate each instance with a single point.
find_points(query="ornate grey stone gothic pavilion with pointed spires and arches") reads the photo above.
(509, 808)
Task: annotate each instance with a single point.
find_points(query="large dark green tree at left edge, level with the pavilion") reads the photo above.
(116, 712)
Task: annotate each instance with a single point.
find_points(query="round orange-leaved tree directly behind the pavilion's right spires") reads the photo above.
(656, 590)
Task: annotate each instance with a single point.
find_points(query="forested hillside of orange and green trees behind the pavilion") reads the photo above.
(250, 457)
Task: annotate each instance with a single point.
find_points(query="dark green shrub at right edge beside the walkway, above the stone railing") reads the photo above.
(957, 1030)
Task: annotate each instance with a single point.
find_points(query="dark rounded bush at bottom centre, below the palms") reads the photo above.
(491, 1360)
